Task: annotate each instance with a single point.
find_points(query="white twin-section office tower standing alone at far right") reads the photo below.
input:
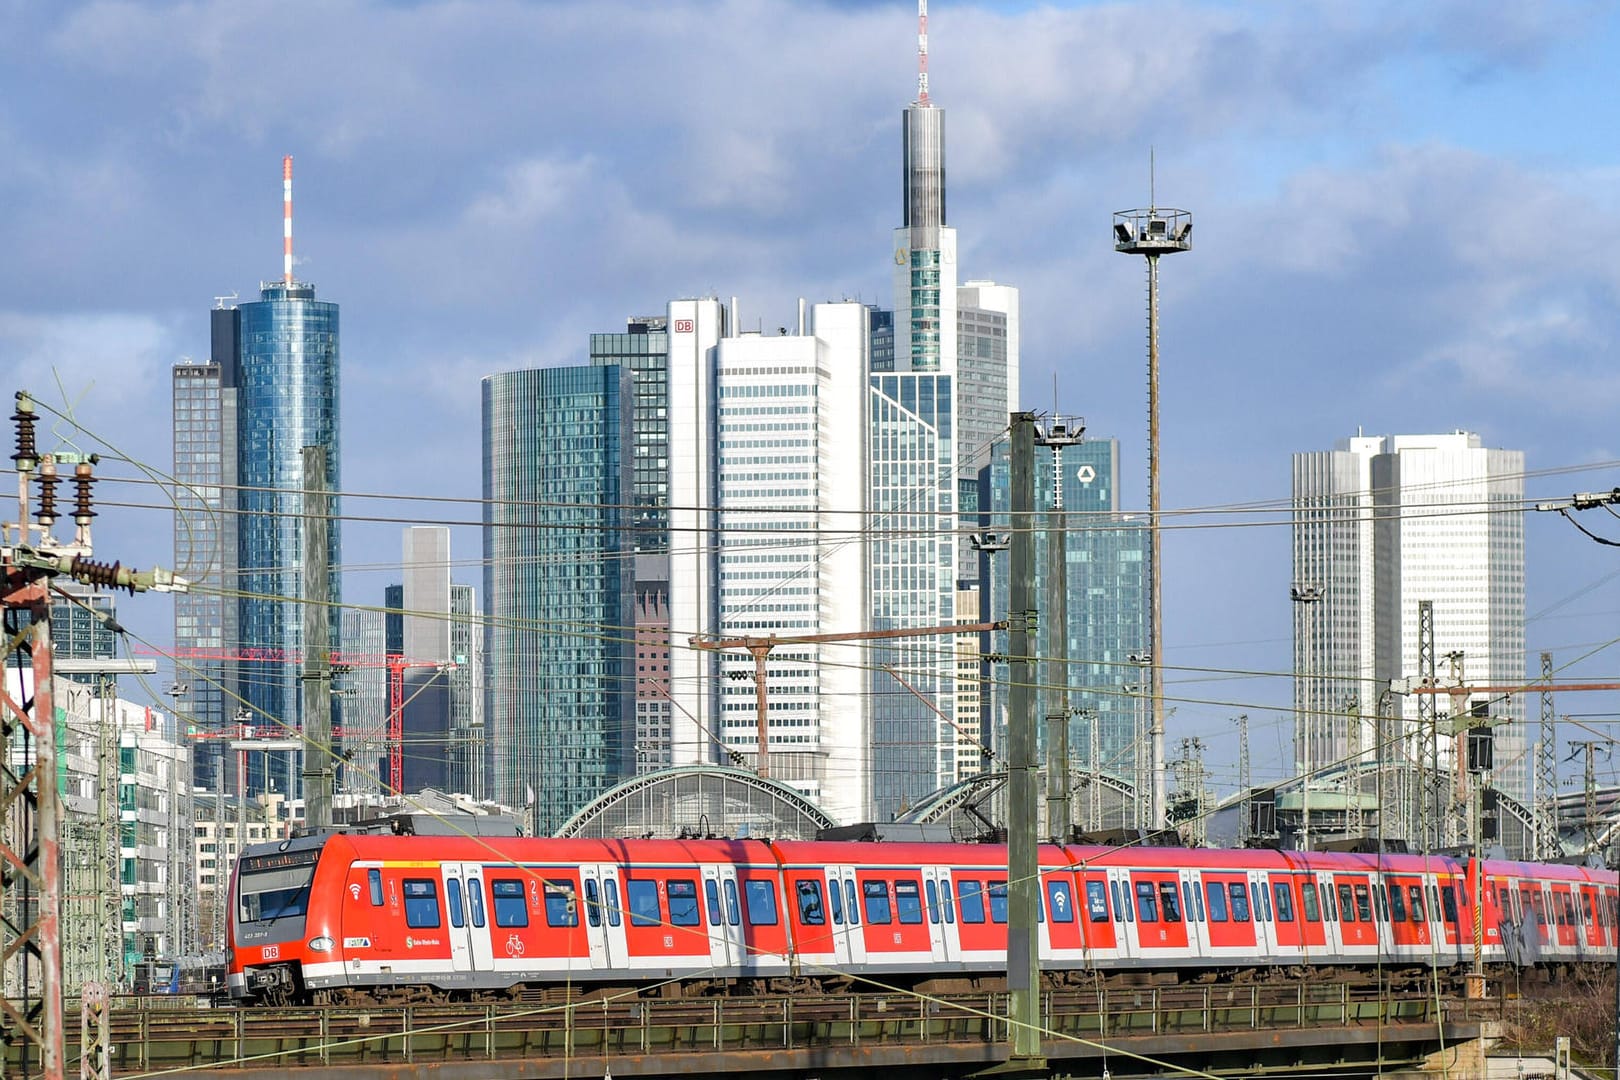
(1383, 524)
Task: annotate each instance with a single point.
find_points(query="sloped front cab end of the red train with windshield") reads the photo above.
(281, 922)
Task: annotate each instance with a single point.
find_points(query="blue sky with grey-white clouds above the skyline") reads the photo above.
(1407, 221)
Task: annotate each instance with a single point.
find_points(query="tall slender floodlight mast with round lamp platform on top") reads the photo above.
(1153, 234)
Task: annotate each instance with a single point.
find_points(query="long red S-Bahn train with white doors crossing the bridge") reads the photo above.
(362, 919)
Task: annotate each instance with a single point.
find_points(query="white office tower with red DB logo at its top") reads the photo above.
(780, 553)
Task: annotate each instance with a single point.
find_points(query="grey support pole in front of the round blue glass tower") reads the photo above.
(318, 647)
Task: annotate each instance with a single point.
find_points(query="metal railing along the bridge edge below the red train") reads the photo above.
(730, 1032)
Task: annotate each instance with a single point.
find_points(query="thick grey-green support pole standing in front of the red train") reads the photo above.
(1023, 885)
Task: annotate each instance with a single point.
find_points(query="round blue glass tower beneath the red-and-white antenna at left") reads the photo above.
(286, 401)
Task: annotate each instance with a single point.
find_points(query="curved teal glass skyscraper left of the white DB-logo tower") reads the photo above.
(560, 582)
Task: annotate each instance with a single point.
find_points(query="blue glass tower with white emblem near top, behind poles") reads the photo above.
(1107, 597)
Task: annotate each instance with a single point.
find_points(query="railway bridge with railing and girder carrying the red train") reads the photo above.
(1328, 1029)
